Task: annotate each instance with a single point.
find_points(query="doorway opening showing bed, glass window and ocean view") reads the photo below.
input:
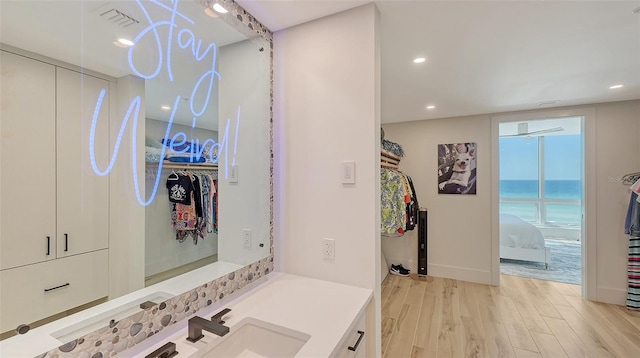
(542, 198)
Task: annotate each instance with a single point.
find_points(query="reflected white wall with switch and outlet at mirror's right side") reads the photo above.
(245, 84)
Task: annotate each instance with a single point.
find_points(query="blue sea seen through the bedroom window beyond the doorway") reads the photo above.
(555, 213)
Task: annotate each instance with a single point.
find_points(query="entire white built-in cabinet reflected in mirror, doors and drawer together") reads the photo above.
(54, 210)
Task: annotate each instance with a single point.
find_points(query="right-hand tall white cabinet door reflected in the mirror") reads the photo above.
(83, 195)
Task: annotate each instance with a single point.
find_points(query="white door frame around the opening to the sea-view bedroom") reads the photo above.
(589, 261)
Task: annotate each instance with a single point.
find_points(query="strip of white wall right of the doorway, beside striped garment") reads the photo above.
(616, 155)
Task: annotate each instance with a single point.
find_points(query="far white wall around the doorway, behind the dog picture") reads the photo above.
(465, 251)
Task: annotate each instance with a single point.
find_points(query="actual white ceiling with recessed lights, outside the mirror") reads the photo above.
(489, 56)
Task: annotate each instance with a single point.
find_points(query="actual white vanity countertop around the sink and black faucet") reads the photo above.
(324, 310)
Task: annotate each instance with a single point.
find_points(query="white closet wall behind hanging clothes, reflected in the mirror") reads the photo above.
(162, 251)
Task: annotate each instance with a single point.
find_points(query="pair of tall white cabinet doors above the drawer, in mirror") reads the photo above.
(52, 203)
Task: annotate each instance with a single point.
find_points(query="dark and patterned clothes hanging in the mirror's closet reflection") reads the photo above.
(193, 200)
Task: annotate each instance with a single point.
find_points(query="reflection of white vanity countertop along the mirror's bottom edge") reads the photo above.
(40, 339)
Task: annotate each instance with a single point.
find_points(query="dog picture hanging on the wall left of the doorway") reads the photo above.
(457, 168)
